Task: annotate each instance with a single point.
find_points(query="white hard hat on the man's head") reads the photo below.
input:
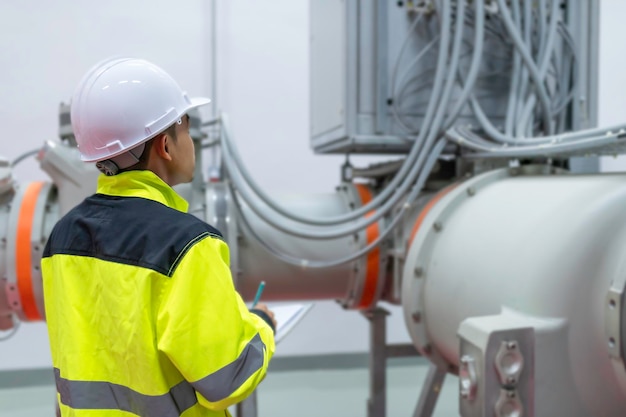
(121, 103)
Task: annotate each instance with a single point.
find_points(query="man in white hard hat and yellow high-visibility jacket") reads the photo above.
(142, 314)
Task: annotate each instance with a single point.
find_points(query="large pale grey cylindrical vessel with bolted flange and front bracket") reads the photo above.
(509, 252)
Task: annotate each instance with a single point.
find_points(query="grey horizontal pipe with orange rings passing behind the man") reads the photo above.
(28, 213)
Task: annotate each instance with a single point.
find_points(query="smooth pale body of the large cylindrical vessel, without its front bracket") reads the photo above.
(544, 245)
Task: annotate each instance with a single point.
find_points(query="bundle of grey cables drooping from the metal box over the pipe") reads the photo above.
(539, 65)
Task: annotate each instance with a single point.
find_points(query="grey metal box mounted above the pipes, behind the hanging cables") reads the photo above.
(355, 45)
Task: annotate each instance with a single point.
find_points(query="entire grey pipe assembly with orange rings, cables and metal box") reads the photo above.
(509, 266)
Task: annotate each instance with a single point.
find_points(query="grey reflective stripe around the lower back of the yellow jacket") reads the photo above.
(96, 395)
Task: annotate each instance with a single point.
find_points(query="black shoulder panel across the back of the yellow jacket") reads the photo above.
(128, 230)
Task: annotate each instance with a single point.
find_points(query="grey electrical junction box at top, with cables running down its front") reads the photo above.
(372, 66)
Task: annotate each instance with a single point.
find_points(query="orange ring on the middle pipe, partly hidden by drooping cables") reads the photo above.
(372, 268)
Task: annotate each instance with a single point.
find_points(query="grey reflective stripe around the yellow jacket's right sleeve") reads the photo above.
(221, 384)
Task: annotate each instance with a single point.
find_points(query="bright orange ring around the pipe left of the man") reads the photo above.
(23, 251)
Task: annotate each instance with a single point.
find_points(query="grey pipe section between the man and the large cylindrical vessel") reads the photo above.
(357, 284)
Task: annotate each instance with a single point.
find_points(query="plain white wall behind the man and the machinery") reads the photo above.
(262, 84)
